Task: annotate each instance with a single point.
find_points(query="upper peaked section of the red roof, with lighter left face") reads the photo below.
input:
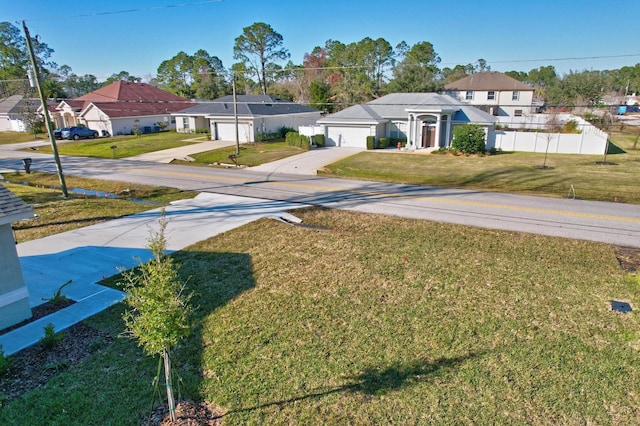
(124, 91)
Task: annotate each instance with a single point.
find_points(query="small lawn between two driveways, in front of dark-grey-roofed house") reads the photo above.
(252, 154)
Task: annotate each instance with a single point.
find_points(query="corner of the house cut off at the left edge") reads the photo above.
(14, 296)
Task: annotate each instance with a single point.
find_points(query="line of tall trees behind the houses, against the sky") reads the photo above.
(330, 77)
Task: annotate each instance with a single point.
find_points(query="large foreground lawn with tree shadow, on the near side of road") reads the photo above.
(376, 320)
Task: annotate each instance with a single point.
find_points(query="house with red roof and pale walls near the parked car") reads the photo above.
(120, 106)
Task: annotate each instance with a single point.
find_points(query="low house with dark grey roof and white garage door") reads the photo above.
(257, 114)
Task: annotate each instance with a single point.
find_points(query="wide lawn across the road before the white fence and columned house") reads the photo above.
(567, 175)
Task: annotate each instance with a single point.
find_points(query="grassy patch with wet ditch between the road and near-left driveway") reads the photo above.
(56, 214)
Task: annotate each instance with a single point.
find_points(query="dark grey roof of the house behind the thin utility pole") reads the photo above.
(248, 106)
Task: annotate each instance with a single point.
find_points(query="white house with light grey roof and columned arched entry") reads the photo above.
(425, 120)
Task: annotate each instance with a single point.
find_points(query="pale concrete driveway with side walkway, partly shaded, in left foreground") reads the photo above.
(87, 255)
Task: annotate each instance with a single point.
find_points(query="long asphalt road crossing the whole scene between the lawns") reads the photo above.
(613, 223)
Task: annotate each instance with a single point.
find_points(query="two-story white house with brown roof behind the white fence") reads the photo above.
(495, 93)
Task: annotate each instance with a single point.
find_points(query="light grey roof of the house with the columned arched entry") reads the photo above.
(398, 106)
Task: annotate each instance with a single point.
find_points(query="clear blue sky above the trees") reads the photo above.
(510, 35)
